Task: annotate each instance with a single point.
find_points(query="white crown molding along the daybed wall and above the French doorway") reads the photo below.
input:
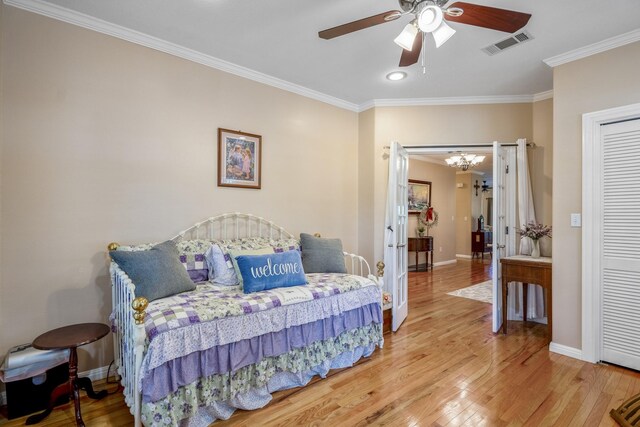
(85, 21)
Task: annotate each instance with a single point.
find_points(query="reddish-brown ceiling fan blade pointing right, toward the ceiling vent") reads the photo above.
(489, 17)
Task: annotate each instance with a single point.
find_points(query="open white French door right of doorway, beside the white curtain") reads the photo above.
(504, 214)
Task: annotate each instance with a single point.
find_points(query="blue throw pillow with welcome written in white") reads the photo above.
(277, 270)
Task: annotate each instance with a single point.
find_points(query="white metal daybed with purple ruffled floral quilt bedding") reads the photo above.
(195, 357)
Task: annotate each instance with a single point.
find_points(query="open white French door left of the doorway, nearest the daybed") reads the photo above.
(395, 257)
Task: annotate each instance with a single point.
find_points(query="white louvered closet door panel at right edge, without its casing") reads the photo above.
(621, 244)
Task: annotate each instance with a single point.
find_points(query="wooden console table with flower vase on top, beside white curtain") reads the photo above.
(525, 269)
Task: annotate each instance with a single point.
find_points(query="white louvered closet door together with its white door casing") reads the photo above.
(610, 237)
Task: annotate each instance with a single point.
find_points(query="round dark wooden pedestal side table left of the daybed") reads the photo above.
(70, 337)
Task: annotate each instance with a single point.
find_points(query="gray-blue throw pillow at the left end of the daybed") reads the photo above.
(156, 273)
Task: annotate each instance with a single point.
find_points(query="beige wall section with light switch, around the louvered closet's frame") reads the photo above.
(602, 81)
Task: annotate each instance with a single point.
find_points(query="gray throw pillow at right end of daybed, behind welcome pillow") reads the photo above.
(321, 255)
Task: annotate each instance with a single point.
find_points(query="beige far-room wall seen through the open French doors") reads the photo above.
(443, 182)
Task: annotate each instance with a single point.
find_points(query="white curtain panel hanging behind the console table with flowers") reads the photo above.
(526, 214)
